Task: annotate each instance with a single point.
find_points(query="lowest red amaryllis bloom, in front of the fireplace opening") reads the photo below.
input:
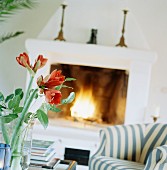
(52, 96)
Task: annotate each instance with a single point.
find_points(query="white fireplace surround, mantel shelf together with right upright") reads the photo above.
(138, 63)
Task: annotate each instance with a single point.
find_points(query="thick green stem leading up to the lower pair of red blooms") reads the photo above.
(21, 120)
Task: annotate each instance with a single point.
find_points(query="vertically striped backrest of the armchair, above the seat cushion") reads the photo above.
(124, 141)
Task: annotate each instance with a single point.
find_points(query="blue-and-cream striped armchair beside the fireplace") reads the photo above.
(131, 147)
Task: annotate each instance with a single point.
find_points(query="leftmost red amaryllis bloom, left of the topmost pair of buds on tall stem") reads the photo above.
(23, 59)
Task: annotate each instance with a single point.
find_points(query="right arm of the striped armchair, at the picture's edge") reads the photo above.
(157, 159)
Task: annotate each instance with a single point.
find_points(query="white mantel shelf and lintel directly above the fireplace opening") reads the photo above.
(77, 53)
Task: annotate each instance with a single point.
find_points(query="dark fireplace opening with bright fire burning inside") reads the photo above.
(100, 94)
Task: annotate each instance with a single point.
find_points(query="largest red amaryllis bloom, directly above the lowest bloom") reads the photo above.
(54, 79)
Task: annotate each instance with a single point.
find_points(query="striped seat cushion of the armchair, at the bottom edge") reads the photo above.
(109, 163)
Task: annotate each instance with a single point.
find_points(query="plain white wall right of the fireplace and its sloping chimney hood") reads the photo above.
(151, 16)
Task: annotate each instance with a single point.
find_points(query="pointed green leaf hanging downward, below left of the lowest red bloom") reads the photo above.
(42, 117)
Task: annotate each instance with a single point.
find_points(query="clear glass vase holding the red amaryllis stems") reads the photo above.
(20, 159)
